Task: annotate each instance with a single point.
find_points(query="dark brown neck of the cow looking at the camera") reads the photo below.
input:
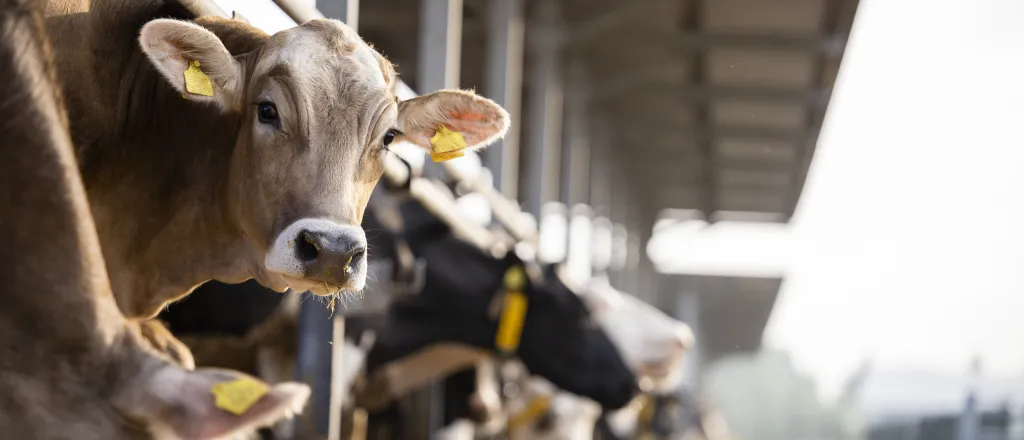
(154, 164)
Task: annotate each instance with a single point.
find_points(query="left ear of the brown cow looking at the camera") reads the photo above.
(176, 48)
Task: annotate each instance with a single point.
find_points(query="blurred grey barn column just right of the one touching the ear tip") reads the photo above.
(545, 104)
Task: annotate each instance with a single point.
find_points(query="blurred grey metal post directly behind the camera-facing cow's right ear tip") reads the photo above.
(504, 85)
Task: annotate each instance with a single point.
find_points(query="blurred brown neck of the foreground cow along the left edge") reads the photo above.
(65, 345)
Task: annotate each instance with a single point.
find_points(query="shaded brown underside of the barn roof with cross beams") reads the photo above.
(717, 105)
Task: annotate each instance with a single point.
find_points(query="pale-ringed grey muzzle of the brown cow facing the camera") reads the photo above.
(321, 256)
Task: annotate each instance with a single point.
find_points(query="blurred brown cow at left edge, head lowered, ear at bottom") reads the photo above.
(71, 366)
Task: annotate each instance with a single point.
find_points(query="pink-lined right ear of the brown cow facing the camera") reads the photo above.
(481, 121)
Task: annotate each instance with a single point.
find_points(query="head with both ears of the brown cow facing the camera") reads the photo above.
(318, 116)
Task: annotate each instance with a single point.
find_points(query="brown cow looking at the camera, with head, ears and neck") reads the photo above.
(268, 179)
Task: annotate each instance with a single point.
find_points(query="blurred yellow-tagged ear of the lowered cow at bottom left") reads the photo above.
(182, 404)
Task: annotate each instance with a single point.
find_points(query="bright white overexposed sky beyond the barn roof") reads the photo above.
(909, 243)
